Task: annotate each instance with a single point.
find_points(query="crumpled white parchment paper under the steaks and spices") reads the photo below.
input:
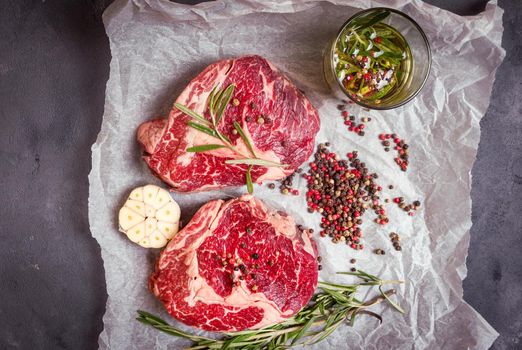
(158, 46)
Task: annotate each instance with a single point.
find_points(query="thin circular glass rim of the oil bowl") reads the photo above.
(415, 24)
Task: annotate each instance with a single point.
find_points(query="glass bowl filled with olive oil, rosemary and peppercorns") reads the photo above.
(373, 63)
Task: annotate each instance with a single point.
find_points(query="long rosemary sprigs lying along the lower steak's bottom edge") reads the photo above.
(328, 309)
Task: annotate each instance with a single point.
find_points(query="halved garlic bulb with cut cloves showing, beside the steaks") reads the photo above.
(149, 217)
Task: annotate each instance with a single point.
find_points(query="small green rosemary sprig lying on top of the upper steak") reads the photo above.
(218, 101)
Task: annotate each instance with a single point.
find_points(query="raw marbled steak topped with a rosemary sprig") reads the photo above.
(286, 136)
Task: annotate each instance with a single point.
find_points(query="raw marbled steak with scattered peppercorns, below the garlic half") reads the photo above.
(236, 265)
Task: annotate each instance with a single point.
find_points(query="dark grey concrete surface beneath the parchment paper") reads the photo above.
(54, 63)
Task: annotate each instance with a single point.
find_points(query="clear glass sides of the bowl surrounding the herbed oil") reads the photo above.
(417, 67)
